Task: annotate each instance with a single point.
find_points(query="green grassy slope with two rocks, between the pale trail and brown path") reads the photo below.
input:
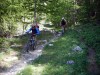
(54, 58)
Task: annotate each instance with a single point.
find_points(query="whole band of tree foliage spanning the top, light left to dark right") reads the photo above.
(12, 11)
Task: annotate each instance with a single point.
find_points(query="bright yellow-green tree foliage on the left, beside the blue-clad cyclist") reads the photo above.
(11, 13)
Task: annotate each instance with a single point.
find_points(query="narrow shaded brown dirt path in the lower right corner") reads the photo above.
(92, 66)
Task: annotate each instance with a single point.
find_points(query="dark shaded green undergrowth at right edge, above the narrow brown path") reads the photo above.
(90, 33)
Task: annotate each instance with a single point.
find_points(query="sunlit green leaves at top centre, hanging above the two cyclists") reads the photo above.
(56, 9)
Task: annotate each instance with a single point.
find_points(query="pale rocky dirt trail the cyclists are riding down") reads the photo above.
(27, 58)
